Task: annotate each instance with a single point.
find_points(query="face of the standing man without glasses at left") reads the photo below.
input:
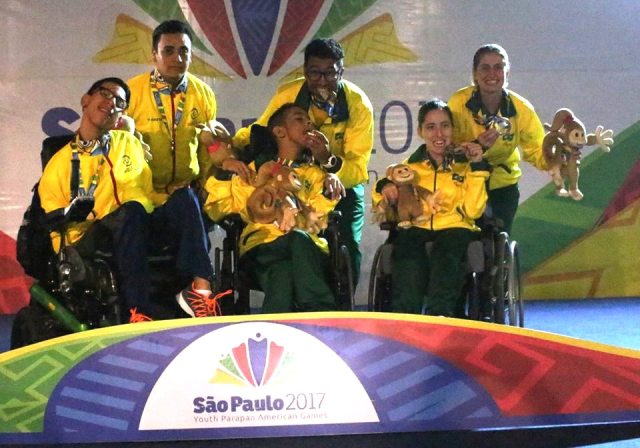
(172, 57)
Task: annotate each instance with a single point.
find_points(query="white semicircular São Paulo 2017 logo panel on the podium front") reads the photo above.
(256, 374)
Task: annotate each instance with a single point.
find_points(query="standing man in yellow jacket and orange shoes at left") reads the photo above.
(168, 105)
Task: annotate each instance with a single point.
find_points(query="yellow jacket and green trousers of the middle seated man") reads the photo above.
(290, 267)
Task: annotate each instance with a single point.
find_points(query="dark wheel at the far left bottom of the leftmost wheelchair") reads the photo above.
(34, 324)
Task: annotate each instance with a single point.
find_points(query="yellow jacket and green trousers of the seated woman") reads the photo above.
(434, 281)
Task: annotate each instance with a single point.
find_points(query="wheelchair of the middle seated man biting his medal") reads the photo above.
(230, 274)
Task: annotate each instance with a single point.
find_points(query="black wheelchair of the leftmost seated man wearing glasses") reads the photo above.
(74, 293)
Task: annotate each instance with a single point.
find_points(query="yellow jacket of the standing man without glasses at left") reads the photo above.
(193, 103)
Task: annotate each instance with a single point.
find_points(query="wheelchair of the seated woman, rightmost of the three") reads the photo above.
(492, 283)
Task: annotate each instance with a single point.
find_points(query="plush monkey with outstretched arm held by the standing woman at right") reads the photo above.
(565, 138)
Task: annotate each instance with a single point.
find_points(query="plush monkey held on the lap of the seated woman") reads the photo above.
(415, 204)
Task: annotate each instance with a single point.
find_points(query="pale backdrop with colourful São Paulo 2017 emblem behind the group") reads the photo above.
(400, 52)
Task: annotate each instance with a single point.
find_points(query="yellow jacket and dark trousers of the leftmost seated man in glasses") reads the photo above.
(116, 174)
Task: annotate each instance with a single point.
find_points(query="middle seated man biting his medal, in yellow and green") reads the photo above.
(285, 255)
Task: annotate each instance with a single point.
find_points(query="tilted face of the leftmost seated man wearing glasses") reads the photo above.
(100, 107)
